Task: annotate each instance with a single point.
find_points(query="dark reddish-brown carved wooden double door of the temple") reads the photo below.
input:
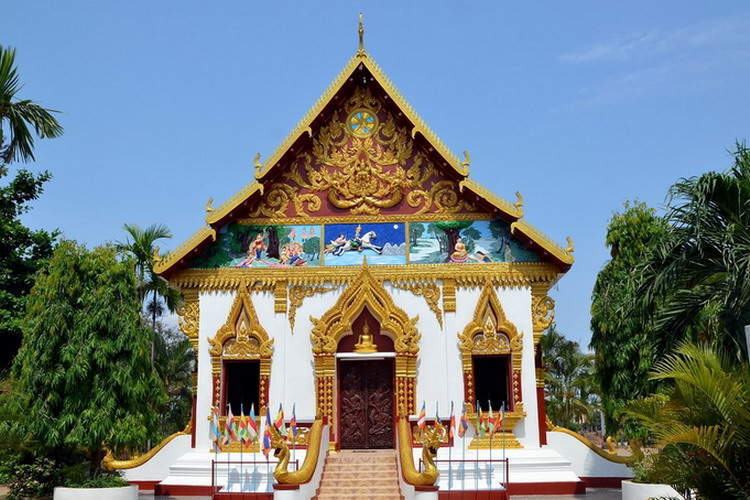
(366, 411)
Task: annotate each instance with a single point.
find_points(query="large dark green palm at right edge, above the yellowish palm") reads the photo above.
(697, 284)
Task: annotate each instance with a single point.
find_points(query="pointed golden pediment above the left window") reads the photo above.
(242, 336)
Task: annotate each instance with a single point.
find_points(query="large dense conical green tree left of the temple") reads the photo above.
(83, 369)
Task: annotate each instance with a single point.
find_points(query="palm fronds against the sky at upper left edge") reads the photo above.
(21, 115)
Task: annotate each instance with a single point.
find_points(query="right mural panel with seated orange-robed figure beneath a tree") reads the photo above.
(465, 242)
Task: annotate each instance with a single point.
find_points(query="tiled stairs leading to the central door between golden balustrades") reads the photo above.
(360, 474)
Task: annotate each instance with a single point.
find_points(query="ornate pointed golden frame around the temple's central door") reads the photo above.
(365, 291)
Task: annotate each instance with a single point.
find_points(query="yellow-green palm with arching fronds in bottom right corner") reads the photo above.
(701, 424)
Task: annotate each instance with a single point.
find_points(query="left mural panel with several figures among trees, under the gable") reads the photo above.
(240, 245)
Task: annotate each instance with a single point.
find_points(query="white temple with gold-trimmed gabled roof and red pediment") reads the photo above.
(361, 274)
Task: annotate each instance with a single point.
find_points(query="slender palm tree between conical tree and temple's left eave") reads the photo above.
(141, 245)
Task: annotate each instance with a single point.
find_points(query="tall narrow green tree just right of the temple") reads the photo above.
(624, 349)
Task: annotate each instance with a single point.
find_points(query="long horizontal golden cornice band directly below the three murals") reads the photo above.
(508, 274)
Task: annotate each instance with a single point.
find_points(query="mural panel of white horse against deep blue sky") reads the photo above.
(381, 243)
